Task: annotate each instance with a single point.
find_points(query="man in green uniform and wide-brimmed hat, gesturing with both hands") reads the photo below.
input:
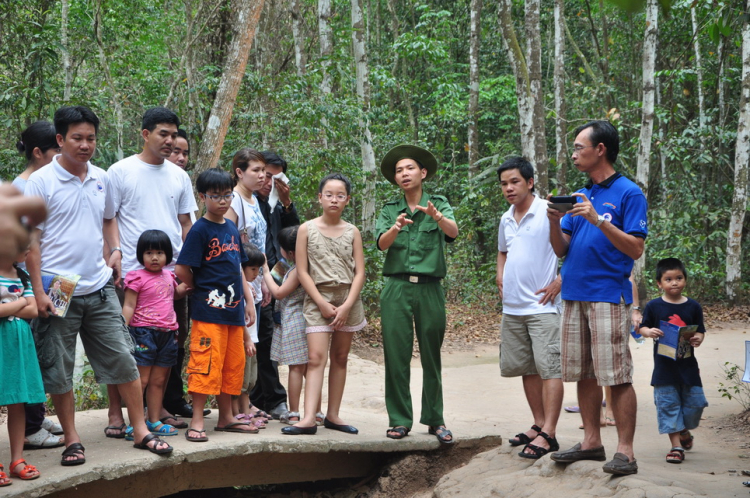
(413, 229)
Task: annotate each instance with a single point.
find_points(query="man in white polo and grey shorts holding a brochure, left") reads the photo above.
(70, 241)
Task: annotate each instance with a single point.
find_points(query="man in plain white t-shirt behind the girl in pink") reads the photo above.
(149, 193)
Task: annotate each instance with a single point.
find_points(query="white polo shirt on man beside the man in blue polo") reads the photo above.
(531, 263)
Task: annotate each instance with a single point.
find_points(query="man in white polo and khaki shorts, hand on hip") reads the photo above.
(529, 288)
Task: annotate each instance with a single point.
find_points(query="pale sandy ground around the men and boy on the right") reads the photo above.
(476, 396)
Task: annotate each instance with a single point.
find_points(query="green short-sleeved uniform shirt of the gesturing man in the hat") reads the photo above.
(419, 248)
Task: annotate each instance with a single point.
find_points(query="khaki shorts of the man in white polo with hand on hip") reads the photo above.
(530, 346)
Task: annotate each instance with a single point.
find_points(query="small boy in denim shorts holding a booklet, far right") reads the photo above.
(678, 391)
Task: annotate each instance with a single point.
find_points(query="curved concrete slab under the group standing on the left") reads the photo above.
(114, 468)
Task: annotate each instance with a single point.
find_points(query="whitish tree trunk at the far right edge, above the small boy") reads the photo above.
(741, 159)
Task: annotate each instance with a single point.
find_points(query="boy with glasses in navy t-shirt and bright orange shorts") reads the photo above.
(210, 264)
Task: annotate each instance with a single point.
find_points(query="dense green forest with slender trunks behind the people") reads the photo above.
(333, 84)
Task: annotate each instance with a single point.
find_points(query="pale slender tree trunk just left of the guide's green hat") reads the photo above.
(363, 95)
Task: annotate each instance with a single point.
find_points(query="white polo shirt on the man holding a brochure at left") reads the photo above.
(72, 241)
